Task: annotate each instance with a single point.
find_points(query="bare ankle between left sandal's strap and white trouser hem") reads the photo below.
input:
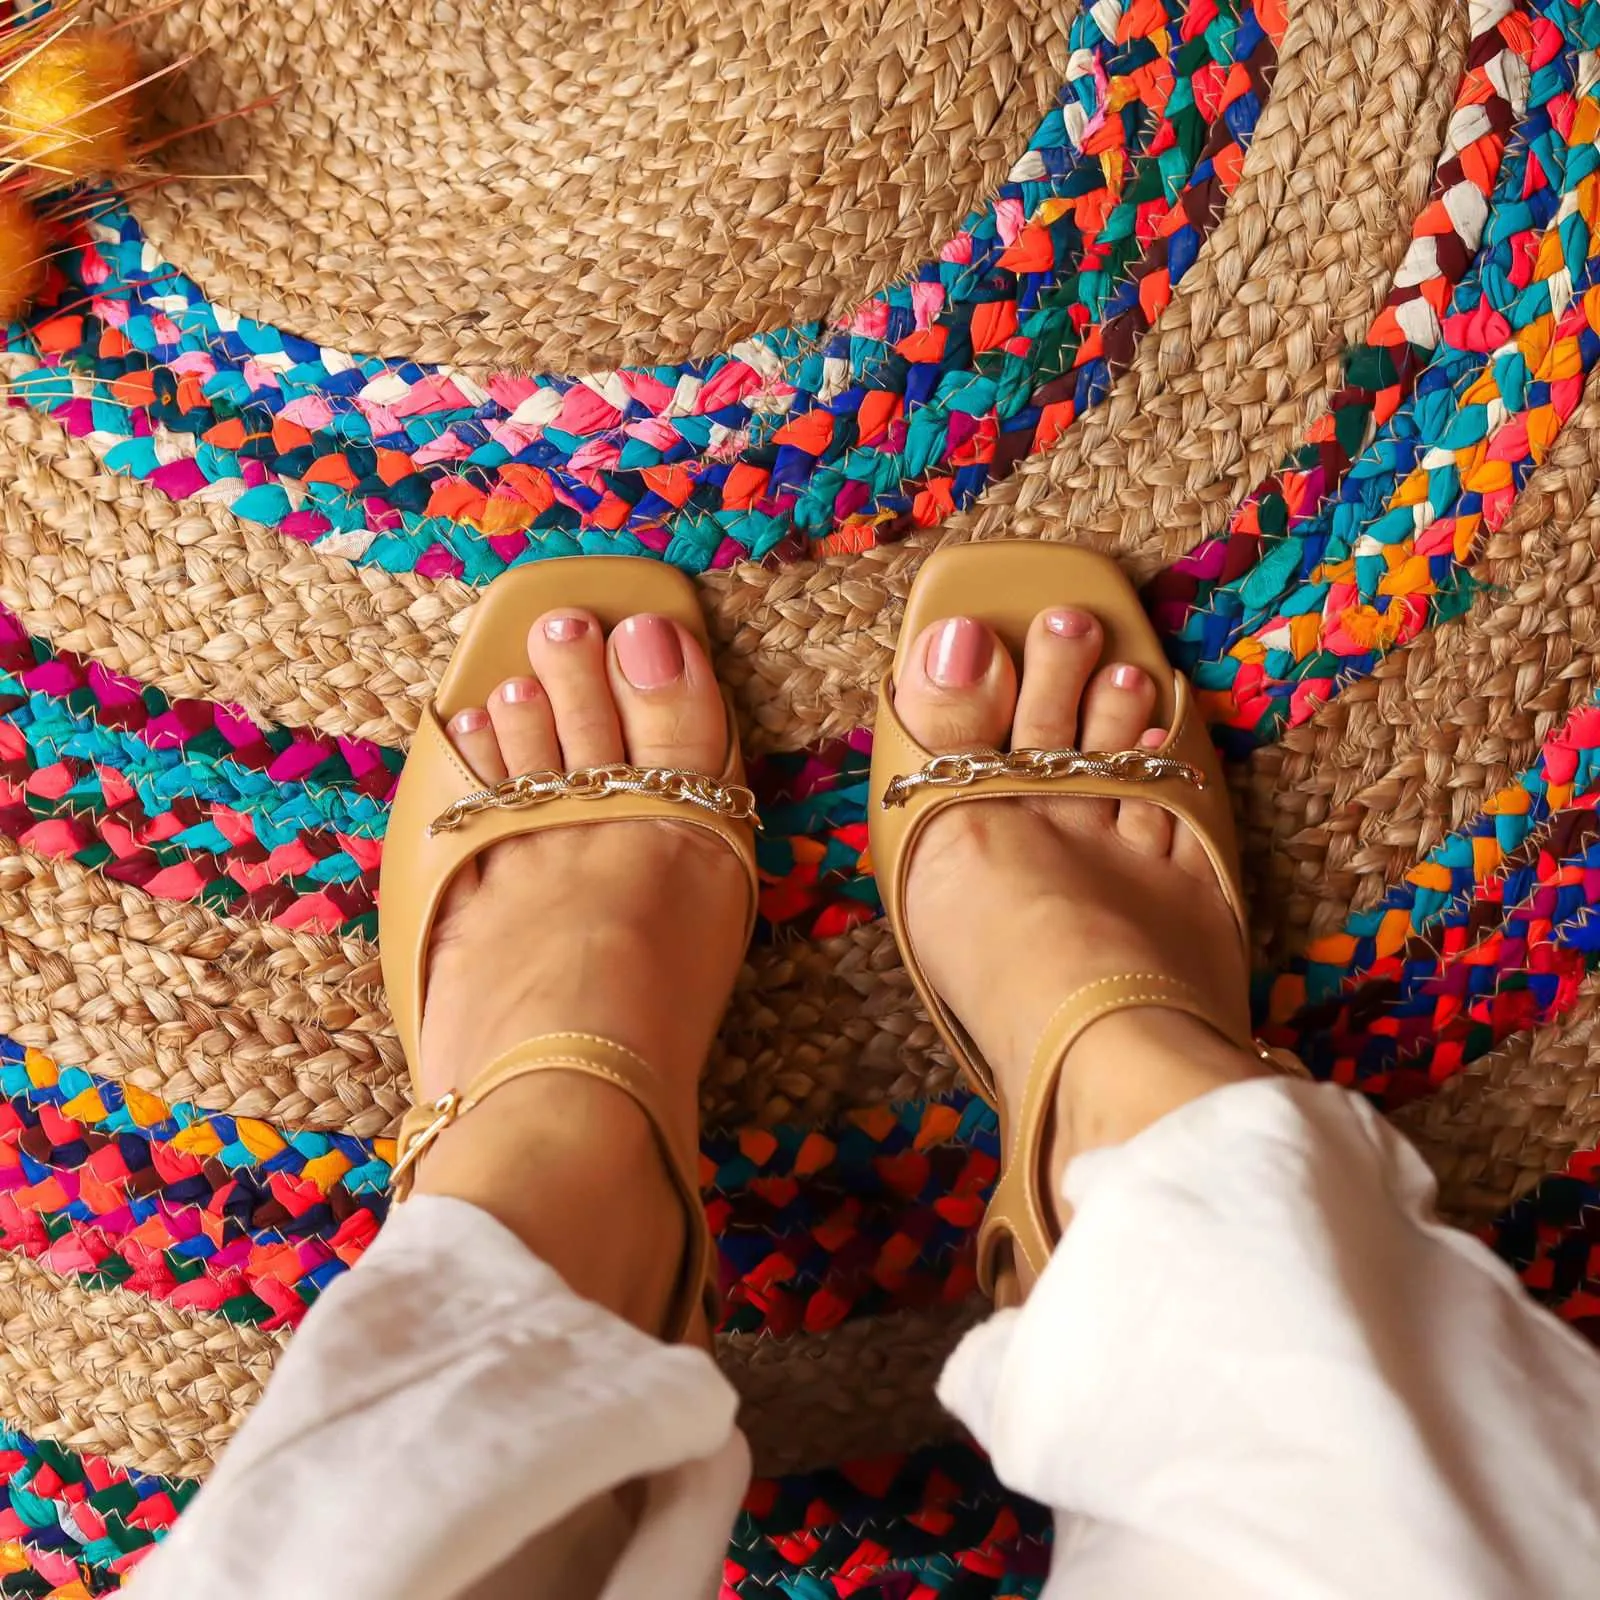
(574, 1169)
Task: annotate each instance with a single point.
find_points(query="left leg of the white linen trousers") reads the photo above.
(446, 1402)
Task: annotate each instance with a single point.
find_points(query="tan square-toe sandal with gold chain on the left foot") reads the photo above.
(444, 817)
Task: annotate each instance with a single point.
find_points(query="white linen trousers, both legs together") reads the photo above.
(1257, 1367)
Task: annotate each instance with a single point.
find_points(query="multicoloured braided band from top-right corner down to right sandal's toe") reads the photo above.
(1364, 569)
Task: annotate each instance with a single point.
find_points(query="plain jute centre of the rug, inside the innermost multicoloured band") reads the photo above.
(586, 188)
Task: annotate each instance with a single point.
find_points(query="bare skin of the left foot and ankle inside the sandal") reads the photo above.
(633, 930)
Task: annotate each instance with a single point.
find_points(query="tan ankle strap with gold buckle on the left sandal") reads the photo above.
(599, 1058)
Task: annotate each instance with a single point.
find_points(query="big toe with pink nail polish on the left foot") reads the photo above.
(666, 695)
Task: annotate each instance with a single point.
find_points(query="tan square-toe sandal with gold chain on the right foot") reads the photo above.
(1007, 585)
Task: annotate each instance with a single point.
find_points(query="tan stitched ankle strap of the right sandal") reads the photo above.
(1018, 1214)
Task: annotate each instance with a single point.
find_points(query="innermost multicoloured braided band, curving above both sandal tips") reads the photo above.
(796, 442)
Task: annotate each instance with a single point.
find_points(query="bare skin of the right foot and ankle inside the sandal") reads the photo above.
(1014, 905)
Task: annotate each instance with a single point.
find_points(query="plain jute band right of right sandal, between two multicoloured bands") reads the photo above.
(1350, 801)
